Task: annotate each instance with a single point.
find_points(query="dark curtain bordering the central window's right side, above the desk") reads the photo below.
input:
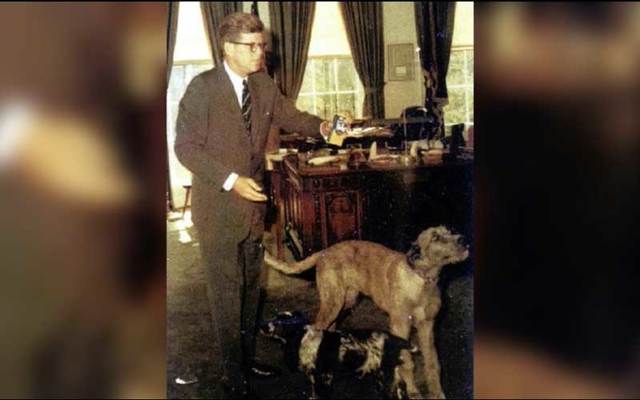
(363, 23)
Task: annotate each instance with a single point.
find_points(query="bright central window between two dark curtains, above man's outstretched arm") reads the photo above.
(331, 83)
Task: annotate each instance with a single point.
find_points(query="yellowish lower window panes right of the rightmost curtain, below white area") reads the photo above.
(460, 87)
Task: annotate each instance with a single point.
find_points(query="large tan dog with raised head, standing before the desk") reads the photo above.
(403, 285)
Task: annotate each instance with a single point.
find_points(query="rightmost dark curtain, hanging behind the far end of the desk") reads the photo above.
(434, 25)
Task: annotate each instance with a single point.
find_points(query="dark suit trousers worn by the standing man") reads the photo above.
(233, 288)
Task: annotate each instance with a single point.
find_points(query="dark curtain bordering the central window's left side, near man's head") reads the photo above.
(291, 24)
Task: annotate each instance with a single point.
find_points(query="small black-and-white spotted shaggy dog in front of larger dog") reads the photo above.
(323, 356)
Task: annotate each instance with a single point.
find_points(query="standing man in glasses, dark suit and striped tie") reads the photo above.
(222, 128)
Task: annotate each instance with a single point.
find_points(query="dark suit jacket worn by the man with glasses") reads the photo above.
(212, 141)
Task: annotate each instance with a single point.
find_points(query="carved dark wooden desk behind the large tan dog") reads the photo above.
(389, 204)
